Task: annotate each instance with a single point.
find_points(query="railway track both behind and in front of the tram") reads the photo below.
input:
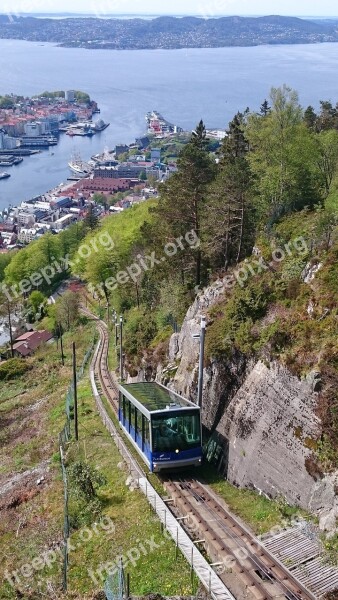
(226, 540)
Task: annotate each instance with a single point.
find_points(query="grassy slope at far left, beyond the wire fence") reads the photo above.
(31, 415)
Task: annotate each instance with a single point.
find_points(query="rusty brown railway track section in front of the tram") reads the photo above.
(230, 543)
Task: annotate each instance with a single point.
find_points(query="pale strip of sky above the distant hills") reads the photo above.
(206, 8)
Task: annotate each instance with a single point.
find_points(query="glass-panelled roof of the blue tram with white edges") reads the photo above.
(155, 397)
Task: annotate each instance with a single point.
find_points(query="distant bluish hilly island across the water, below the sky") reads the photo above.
(168, 32)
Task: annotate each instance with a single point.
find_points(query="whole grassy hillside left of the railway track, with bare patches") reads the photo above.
(32, 414)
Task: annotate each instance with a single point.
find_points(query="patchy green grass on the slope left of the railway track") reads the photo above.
(36, 524)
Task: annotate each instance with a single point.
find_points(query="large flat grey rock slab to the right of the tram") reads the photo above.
(270, 424)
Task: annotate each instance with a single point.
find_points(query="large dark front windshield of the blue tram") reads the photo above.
(176, 431)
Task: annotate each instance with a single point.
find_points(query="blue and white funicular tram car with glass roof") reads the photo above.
(164, 427)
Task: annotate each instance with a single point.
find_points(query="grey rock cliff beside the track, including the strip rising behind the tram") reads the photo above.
(262, 415)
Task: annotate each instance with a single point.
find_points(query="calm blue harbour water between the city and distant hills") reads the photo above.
(231, 80)
